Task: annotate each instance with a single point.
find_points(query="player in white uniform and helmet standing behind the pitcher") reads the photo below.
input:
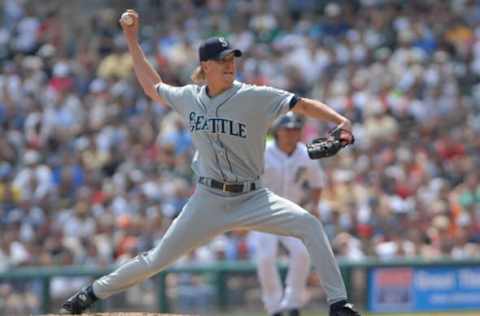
(290, 173)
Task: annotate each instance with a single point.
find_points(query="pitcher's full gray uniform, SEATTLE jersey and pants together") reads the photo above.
(229, 133)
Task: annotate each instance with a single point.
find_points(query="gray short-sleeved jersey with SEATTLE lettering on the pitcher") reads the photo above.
(229, 129)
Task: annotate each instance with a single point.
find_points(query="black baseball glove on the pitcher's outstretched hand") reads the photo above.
(328, 146)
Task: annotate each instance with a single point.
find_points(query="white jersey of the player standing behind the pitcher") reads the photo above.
(287, 176)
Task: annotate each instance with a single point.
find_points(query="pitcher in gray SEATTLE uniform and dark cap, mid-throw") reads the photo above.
(229, 121)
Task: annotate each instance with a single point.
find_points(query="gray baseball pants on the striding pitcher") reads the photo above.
(211, 212)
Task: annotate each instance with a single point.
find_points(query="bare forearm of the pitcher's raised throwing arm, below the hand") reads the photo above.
(146, 74)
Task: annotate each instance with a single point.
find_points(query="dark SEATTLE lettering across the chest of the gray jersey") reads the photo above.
(216, 125)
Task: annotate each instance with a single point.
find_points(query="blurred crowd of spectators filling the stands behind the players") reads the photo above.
(92, 171)
